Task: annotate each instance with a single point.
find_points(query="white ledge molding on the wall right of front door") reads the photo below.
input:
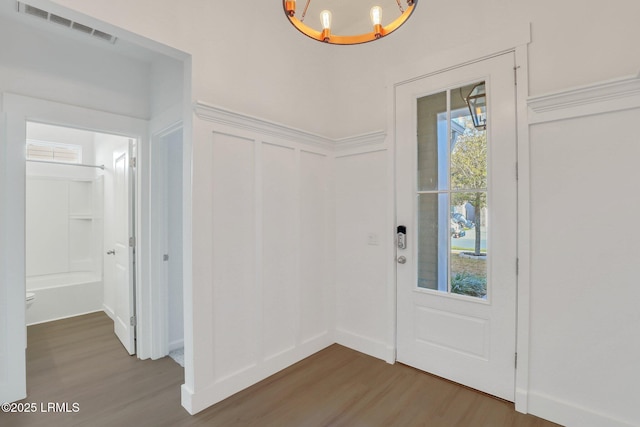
(608, 96)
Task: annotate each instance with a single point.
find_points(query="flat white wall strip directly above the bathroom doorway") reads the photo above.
(35, 63)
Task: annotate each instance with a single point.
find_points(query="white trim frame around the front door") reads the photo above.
(516, 40)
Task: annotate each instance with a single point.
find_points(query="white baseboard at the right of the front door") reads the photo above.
(571, 415)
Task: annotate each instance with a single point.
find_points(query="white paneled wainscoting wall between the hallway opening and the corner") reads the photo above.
(260, 239)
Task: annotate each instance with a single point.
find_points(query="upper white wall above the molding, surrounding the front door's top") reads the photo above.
(562, 53)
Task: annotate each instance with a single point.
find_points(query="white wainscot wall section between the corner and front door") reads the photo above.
(362, 240)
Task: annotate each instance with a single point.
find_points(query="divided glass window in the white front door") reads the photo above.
(452, 194)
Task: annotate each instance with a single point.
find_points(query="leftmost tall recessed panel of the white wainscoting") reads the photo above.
(233, 258)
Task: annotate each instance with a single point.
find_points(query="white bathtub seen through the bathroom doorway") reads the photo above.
(64, 295)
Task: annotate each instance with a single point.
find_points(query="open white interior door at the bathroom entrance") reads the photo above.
(124, 247)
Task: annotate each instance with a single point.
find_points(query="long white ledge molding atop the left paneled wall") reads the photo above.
(222, 116)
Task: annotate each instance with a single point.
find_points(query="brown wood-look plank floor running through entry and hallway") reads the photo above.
(80, 360)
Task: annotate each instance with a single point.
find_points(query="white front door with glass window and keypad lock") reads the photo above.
(456, 196)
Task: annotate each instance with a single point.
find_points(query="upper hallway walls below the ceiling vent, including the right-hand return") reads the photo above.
(43, 63)
